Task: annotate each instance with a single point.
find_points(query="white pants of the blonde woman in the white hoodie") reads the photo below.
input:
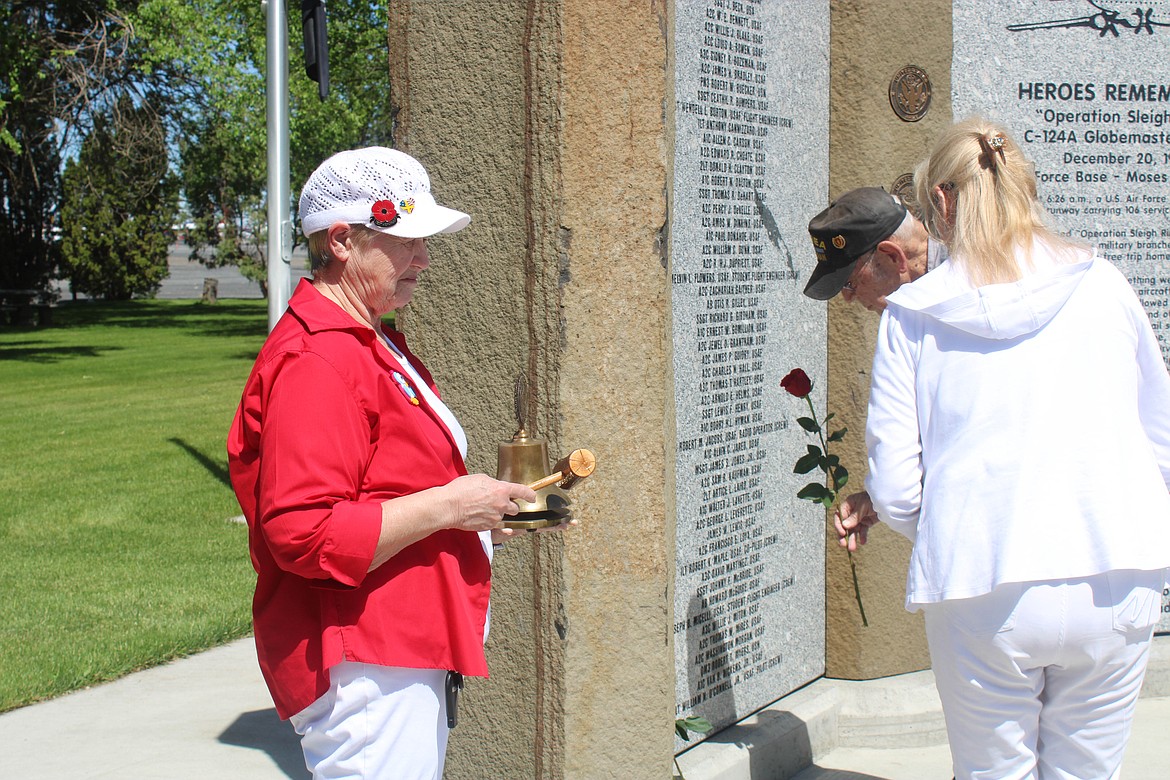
(1040, 680)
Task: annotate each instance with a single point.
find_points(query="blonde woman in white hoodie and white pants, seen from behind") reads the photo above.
(1020, 436)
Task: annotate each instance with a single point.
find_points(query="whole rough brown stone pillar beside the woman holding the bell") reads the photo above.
(546, 122)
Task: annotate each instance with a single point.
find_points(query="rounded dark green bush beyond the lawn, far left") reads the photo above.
(120, 203)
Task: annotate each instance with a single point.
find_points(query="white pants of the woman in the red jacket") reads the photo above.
(376, 723)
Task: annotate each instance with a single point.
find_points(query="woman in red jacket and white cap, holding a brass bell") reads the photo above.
(371, 543)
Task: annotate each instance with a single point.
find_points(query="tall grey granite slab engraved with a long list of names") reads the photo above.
(751, 169)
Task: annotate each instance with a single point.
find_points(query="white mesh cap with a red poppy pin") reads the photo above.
(382, 189)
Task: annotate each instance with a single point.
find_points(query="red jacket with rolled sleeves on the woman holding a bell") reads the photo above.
(324, 436)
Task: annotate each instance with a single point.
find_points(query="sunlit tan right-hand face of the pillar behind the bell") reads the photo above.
(620, 671)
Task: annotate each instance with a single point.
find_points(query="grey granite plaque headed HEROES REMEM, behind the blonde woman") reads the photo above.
(1085, 88)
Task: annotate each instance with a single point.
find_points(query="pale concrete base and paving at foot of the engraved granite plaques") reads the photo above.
(892, 728)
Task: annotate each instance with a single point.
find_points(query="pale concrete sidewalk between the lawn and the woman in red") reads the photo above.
(208, 717)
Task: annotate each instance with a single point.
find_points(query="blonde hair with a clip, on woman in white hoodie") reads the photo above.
(996, 209)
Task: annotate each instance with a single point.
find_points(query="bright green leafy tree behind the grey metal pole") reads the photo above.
(221, 47)
